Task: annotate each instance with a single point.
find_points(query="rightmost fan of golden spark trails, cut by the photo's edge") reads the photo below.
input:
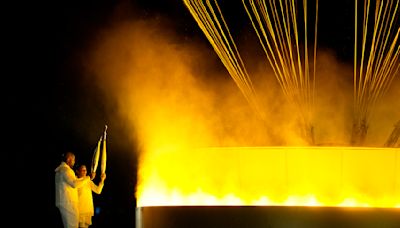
(379, 61)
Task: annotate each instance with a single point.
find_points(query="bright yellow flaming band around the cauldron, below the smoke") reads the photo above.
(286, 176)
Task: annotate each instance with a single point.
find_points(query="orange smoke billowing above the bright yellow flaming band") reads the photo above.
(172, 92)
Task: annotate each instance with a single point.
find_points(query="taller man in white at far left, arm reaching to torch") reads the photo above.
(67, 185)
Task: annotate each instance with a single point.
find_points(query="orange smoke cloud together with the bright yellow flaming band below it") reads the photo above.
(169, 107)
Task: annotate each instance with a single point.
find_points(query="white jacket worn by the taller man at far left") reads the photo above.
(67, 185)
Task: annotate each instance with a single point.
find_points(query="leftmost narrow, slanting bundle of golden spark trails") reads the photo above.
(211, 21)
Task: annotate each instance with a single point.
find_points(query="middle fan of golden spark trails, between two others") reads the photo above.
(276, 27)
